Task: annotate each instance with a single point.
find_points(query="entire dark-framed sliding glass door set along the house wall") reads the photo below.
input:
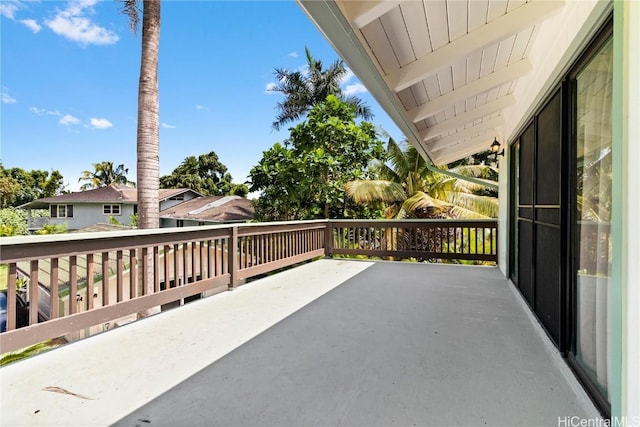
(560, 242)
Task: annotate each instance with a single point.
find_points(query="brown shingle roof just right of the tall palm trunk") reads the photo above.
(212, 209)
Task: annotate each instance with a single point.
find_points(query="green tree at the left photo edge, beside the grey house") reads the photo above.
(18, 186)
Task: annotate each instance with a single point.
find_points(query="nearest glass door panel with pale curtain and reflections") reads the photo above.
(592, 228)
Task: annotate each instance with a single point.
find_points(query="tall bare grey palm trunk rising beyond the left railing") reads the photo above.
(148, 134)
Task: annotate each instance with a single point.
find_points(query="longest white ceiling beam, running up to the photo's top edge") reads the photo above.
(519, 19)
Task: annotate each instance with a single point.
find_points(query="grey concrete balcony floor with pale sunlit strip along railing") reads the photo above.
(330, 343)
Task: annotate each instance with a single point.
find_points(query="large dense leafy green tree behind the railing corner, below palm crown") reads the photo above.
(306, 181)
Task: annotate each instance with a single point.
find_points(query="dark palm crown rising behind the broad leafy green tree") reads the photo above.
(304, 89)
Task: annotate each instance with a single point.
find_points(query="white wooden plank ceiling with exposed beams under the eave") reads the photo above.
(452, 65)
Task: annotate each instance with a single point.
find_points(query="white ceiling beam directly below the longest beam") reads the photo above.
(500, 77)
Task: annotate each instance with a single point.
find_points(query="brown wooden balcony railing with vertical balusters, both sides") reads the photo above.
(90, 281)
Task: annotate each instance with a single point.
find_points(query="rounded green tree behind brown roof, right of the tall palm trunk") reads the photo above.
(205, 174)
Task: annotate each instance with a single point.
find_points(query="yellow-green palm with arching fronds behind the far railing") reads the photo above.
(407, 188)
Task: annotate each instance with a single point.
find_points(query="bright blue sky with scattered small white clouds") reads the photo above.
(70, 74)
